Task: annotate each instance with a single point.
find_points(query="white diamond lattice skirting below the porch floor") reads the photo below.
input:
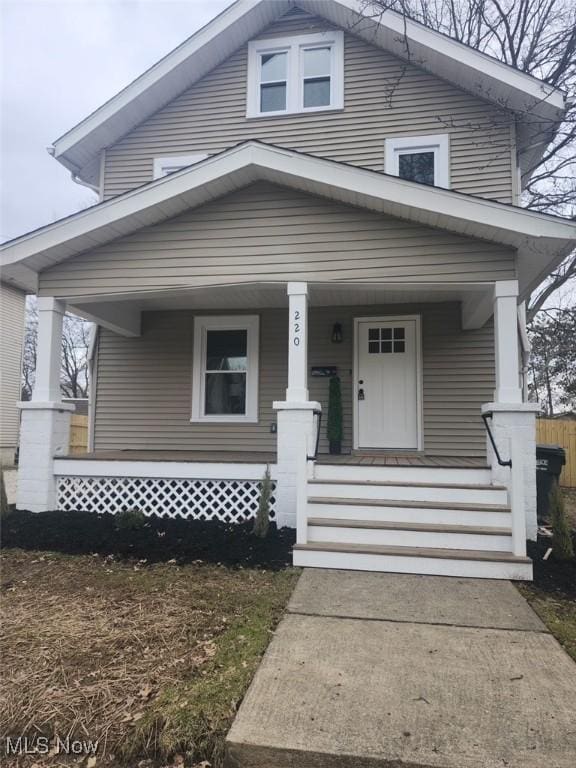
(231, 501)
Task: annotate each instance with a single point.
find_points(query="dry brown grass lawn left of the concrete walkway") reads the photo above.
(104, 650)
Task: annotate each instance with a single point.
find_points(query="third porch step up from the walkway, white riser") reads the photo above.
(410, 511)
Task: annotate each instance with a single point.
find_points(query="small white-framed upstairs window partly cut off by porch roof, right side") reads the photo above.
(424, 159)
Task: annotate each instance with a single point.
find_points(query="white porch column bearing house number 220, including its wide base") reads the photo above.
(296, 423)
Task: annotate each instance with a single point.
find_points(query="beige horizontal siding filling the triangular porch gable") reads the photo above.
(270, 233)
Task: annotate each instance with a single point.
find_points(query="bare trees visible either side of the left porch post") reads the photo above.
(75, 343)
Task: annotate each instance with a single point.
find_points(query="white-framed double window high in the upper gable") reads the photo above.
(297, 74)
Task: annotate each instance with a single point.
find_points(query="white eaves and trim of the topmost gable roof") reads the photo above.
(79, 149)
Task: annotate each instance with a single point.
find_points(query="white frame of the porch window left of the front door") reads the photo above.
(202, 324)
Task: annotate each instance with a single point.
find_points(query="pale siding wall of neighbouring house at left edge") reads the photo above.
(12, 312)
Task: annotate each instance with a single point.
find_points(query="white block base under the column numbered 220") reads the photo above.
(295, 421)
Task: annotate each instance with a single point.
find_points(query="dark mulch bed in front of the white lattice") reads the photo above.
(155, 540)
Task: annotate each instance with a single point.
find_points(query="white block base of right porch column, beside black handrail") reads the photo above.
(515, 422)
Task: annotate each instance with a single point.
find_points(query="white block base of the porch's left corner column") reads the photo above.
(44, 435)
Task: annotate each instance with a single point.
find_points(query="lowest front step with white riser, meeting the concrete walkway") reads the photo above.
(480, 564)
